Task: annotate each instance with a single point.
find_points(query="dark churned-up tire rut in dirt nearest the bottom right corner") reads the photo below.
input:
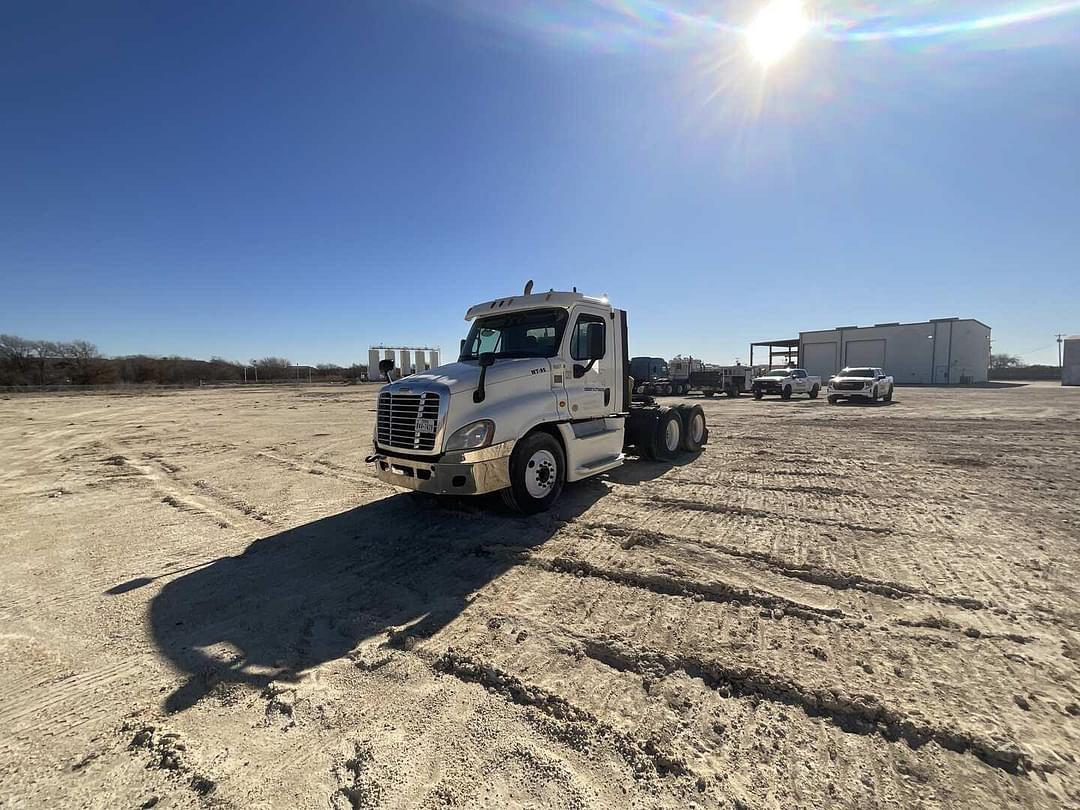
(862, 714)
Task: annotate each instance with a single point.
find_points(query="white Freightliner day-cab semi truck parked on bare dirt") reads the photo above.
(539, 397)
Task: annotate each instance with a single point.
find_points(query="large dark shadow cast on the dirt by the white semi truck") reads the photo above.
(404, 565)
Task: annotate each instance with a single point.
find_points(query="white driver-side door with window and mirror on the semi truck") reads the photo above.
(590, 382)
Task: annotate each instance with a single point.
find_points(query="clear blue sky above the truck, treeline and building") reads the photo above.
(305, 180)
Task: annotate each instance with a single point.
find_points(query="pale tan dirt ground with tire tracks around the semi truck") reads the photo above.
(208, 600)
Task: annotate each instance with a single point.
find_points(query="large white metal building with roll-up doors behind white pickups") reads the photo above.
(940, 352)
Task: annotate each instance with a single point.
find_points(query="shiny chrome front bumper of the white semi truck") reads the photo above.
(474, 472)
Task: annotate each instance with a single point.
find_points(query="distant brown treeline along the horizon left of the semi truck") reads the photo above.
(79, 363)
